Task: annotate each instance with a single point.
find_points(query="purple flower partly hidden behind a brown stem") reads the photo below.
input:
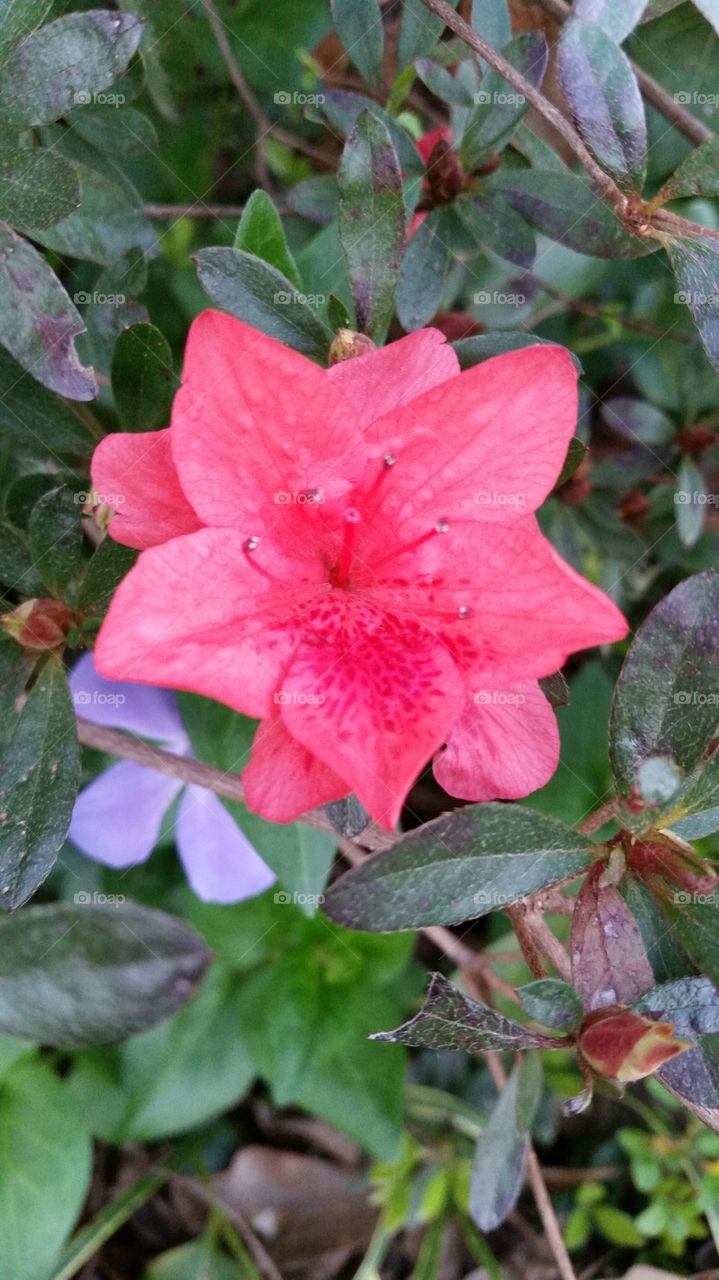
(117, 819)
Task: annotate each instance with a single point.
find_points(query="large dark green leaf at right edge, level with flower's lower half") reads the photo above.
(667, 698)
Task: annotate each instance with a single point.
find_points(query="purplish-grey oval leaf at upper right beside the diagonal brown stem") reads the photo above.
(606, 102)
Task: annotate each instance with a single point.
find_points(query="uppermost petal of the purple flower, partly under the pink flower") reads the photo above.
(139, 708)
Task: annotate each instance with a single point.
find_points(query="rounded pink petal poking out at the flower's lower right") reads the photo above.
(505, 746)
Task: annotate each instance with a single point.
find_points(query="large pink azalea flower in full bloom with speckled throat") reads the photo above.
(351, 556)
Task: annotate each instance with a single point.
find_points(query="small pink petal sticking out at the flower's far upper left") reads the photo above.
(135, 474)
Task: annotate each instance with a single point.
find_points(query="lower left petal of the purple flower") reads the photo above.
(117, 819)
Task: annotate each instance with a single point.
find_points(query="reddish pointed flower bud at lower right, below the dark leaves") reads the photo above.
(622, 1046)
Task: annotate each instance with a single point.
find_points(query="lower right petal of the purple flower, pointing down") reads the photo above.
(221, 863)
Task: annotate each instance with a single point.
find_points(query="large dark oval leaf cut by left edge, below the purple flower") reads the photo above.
(85, 973)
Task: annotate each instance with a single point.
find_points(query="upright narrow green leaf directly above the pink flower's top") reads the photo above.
(372, 222)
